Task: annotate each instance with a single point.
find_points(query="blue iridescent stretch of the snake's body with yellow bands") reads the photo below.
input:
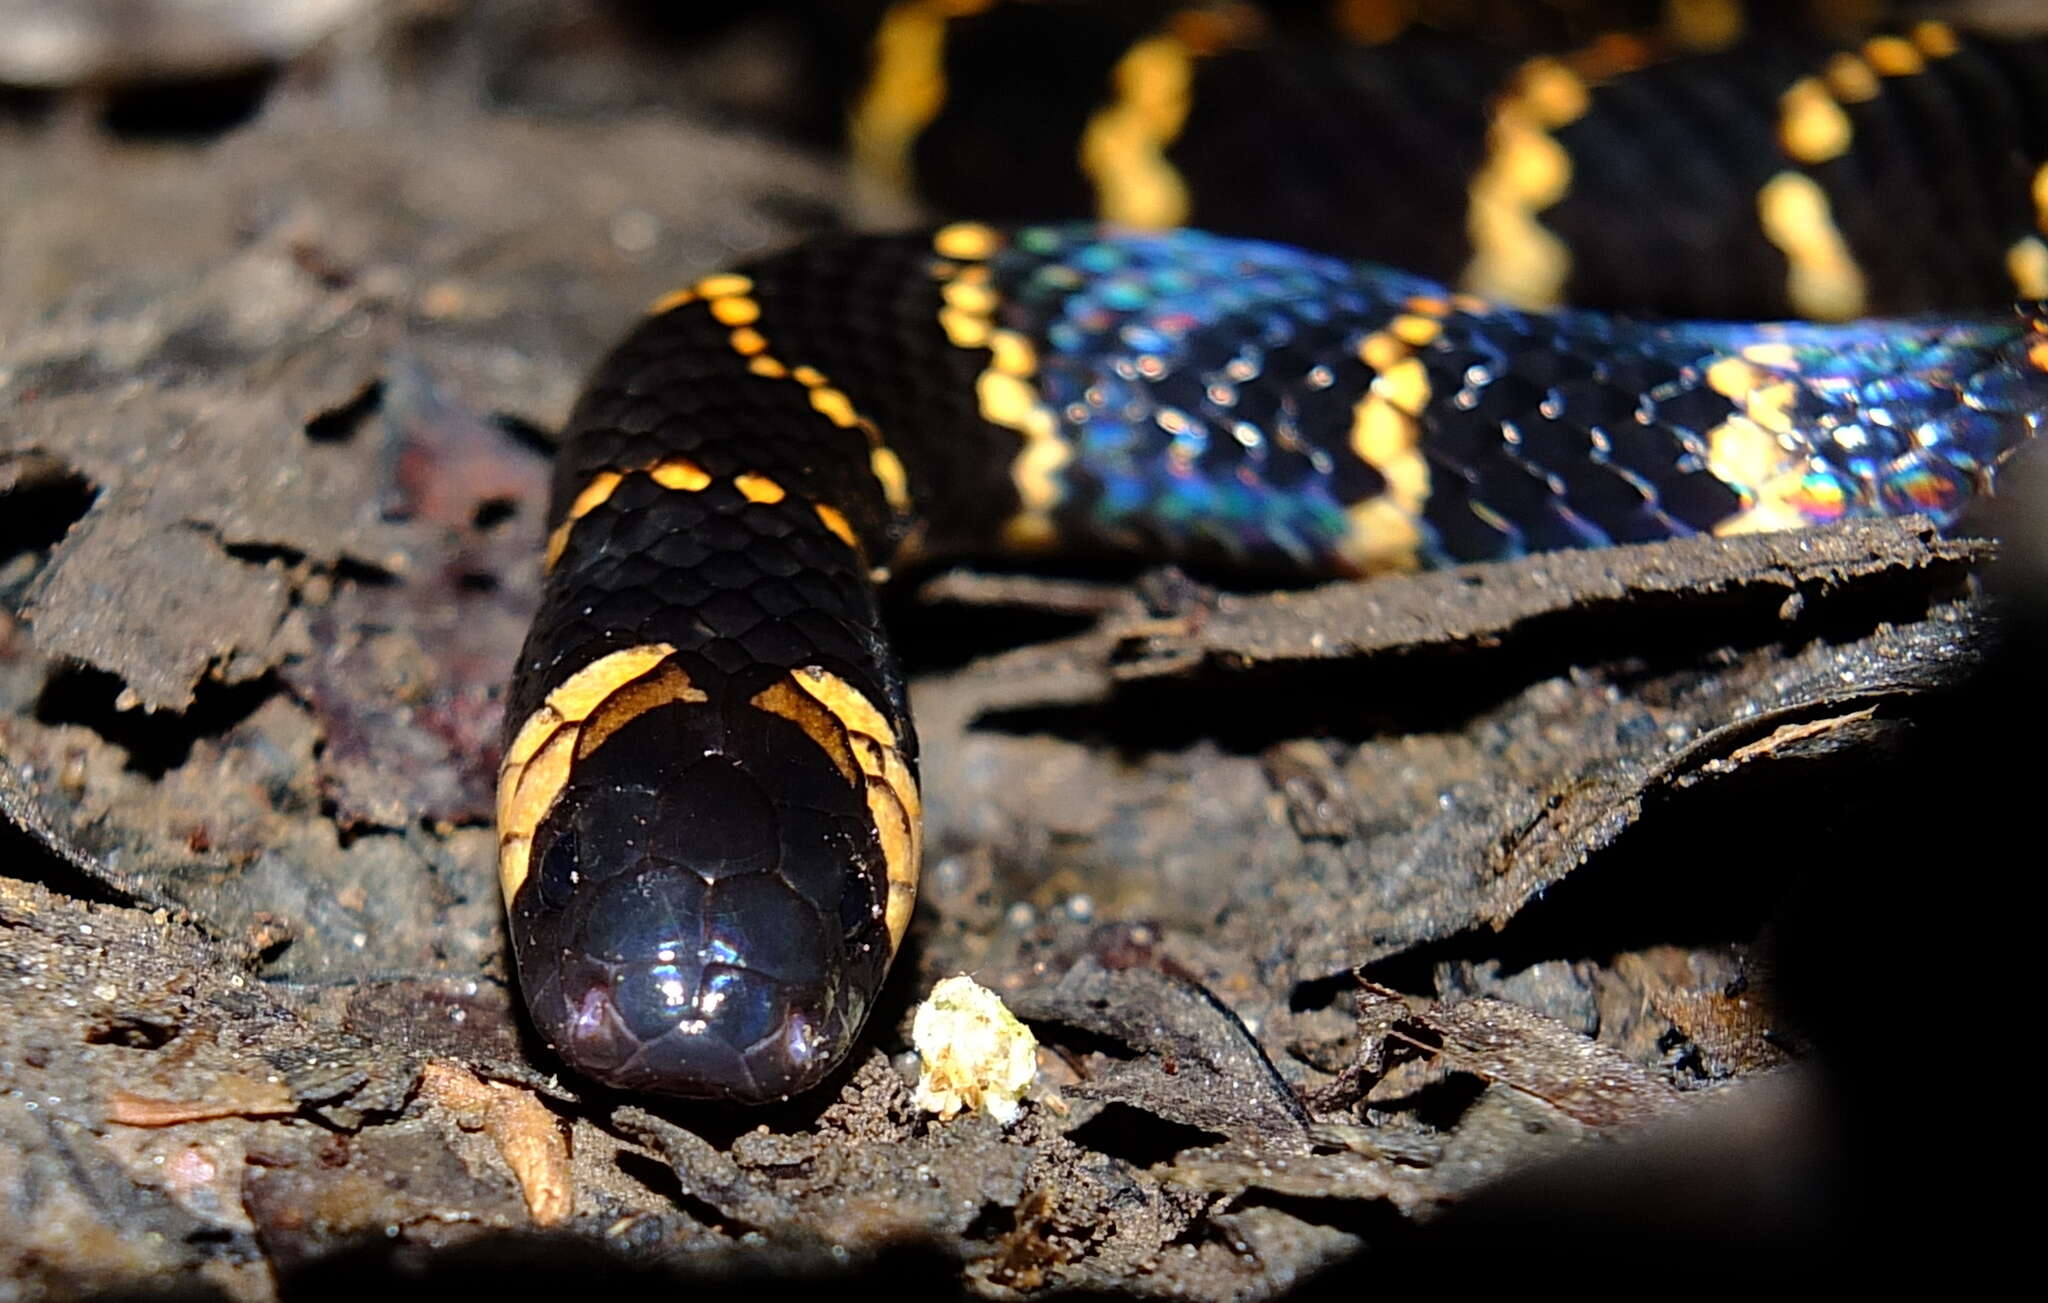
(1218, 396)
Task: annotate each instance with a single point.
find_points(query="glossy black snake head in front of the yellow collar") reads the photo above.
(703, 909)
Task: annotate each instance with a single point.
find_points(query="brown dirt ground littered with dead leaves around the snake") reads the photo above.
(1621, 915)
